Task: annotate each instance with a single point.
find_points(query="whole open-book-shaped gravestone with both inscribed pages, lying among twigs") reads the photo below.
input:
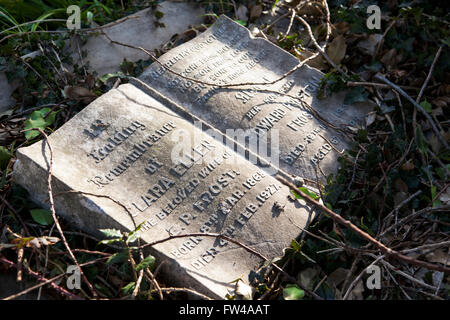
(136, 157)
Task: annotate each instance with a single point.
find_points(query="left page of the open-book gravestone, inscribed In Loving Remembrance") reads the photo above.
(125, 155)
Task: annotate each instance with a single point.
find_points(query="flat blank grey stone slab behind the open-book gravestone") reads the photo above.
(137, 30)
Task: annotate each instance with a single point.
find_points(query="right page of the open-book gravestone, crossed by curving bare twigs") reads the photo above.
(228, 54)
